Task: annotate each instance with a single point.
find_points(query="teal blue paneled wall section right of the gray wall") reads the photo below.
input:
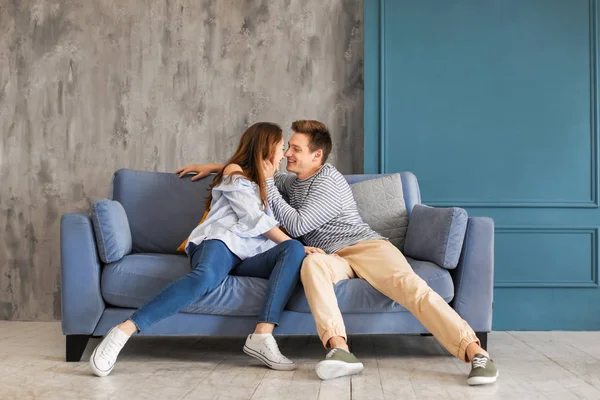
(493, 105)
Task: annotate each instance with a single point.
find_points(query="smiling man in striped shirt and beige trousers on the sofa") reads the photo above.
(323, 214)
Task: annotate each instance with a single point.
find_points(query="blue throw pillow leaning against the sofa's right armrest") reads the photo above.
(436, 235)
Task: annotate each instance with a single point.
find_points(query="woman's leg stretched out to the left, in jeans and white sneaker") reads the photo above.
(211, 263)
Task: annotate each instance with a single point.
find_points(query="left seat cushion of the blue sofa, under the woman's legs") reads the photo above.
(137, 278)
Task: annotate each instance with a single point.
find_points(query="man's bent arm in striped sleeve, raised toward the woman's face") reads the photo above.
(322, 204)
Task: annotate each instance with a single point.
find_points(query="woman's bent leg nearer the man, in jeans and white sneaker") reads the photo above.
(281, 266)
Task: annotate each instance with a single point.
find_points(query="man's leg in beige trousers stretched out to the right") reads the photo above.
(382, 265)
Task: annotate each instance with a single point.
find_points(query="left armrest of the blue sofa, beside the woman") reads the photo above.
(82, 303)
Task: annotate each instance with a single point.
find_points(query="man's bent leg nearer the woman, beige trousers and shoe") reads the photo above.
(319, 273)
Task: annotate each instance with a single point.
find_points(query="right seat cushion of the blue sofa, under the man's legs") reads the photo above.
(358, 296)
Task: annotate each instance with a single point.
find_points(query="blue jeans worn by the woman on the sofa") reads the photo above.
(211, 262)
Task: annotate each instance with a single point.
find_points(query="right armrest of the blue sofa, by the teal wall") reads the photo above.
(474, 276)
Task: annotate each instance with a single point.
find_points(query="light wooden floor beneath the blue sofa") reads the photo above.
(533, 365)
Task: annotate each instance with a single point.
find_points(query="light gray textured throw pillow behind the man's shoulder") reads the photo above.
(381, 205)
